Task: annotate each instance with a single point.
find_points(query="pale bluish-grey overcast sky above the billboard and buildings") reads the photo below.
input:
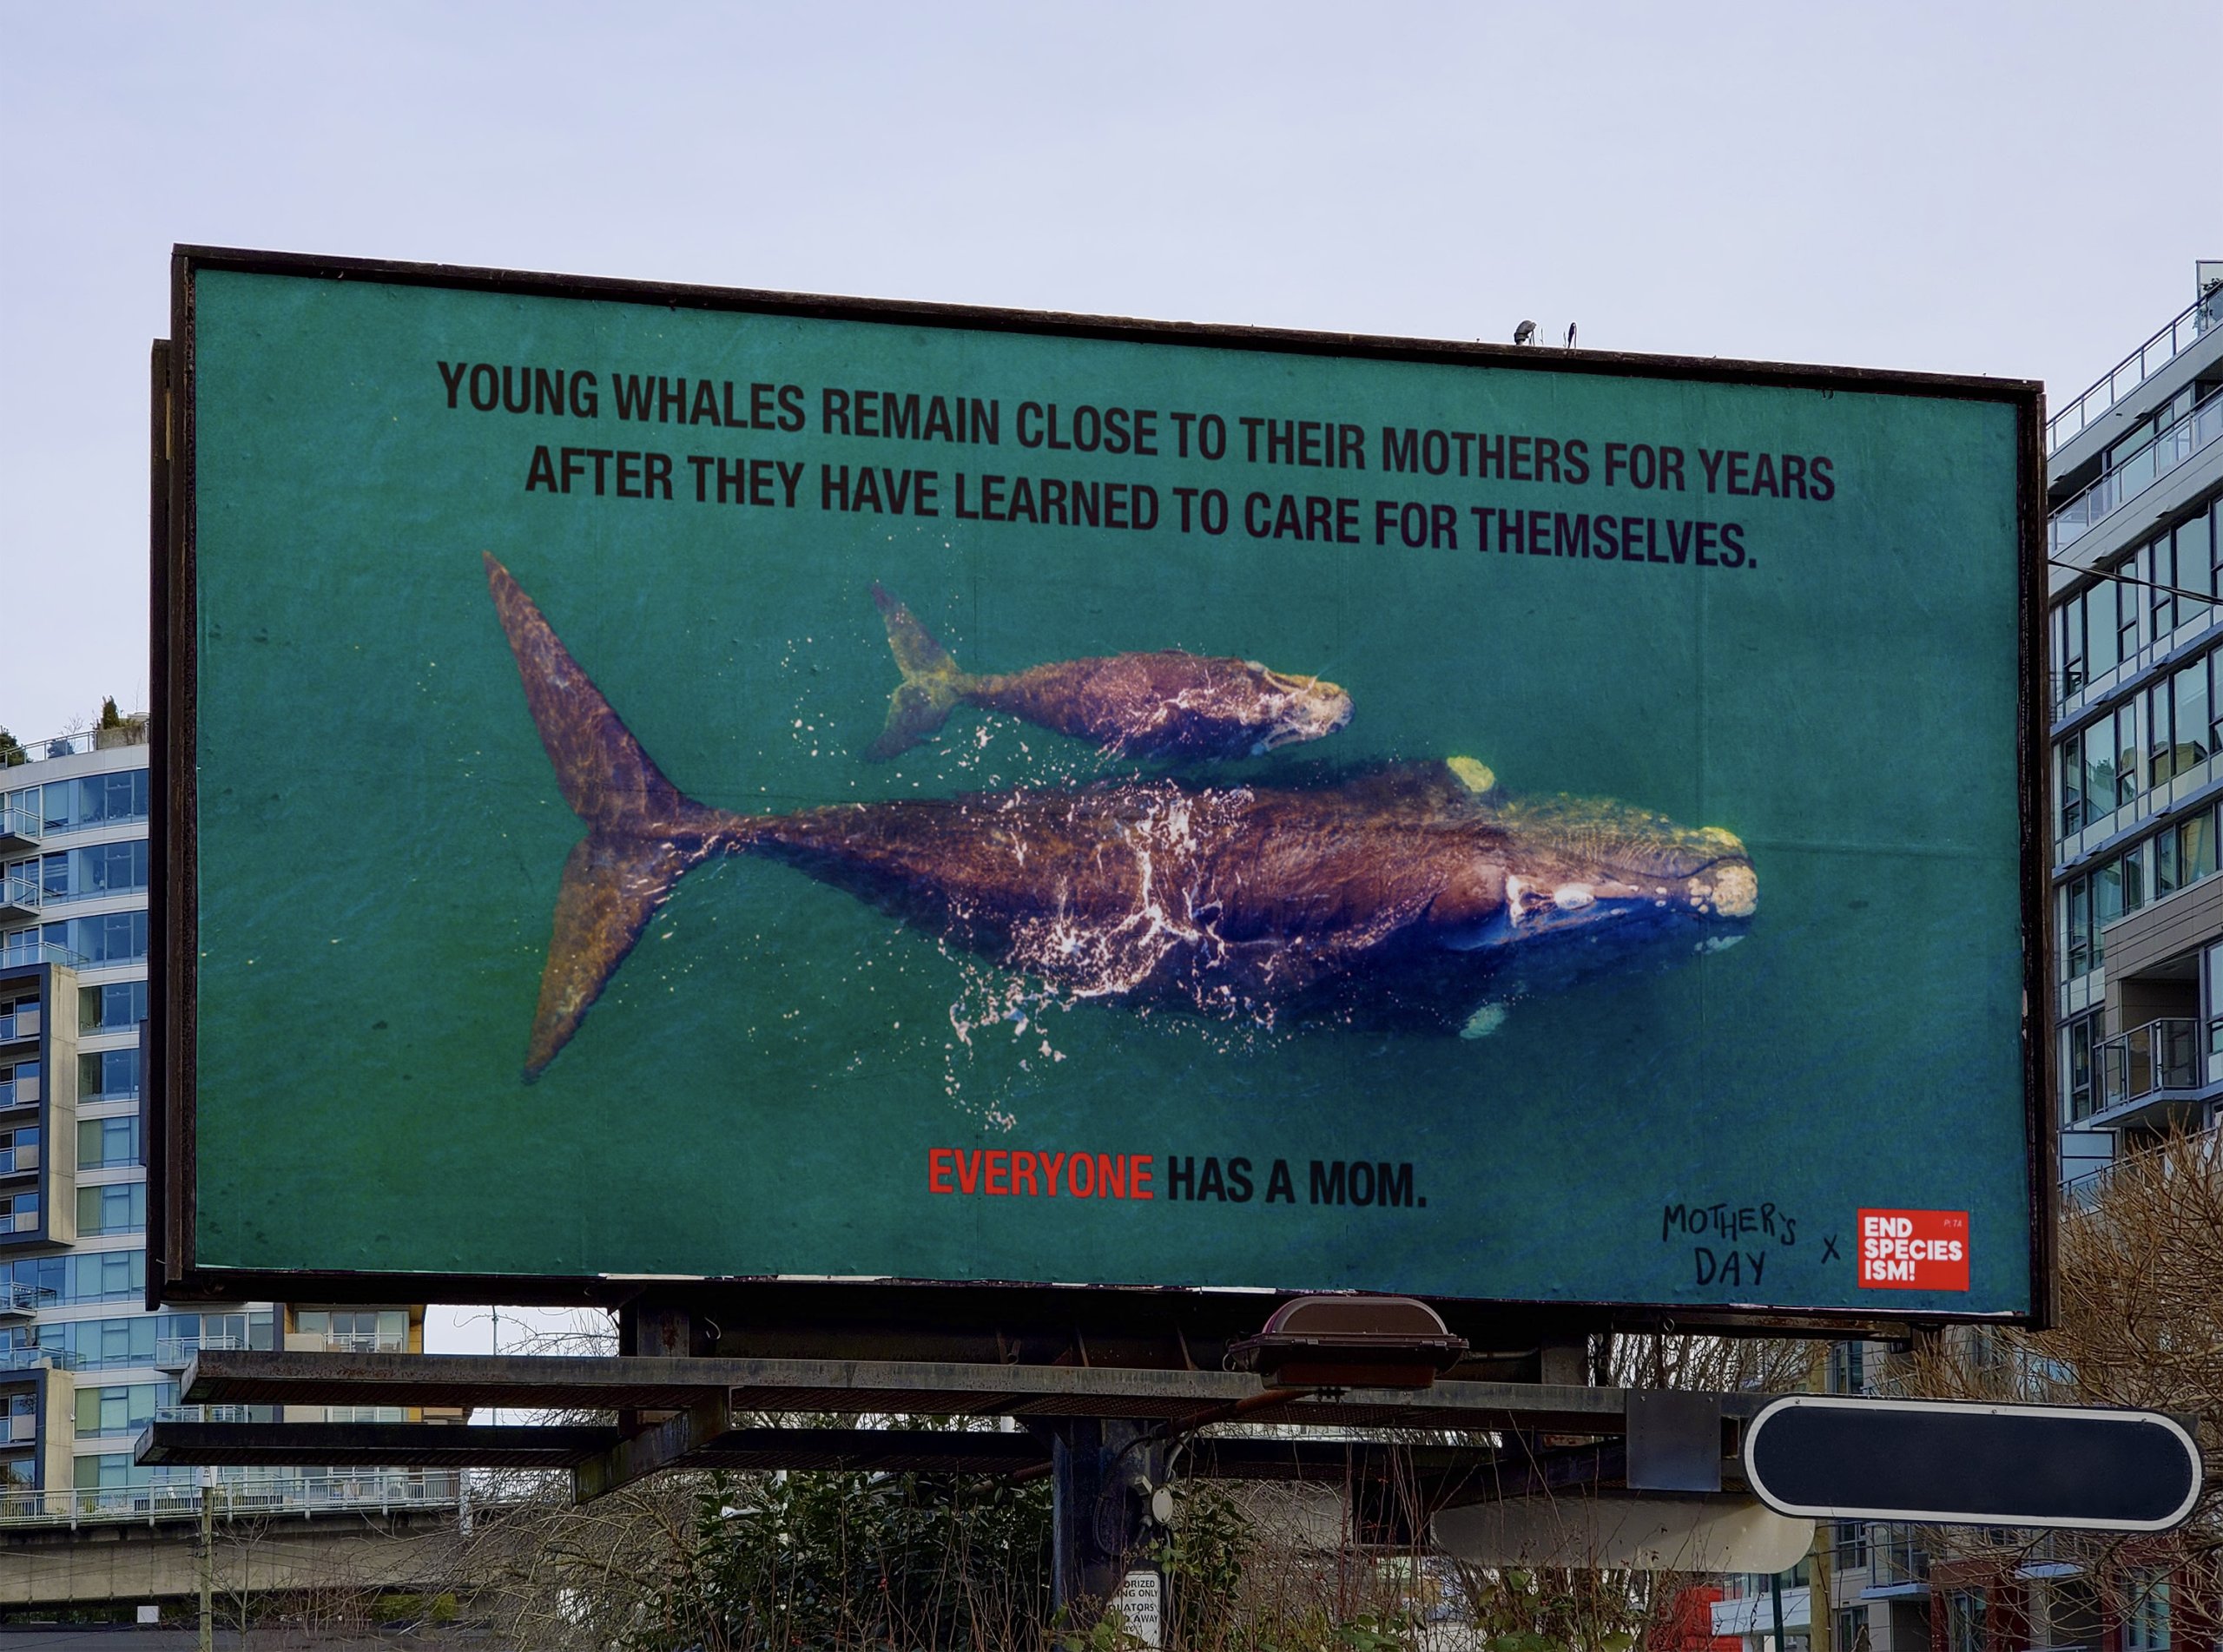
(2013, 190)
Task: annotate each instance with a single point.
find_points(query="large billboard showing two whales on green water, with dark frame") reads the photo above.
(735, 786)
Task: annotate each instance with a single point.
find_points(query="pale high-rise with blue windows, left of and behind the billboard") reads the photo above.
(83, 1364)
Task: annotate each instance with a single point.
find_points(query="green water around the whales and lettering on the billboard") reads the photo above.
(761, 1084)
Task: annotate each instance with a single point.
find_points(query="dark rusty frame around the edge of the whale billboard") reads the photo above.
(175, 1273)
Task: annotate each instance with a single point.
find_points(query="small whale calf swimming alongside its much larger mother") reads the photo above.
(1164, 704)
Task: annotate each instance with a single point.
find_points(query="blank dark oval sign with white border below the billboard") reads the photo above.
(1953, 1464)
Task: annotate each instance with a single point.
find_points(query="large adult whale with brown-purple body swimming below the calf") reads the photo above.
(1415, 893)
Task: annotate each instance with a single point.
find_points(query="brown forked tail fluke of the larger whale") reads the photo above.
(641, 830)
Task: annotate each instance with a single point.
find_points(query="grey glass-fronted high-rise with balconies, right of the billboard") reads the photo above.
(2135, 535)
